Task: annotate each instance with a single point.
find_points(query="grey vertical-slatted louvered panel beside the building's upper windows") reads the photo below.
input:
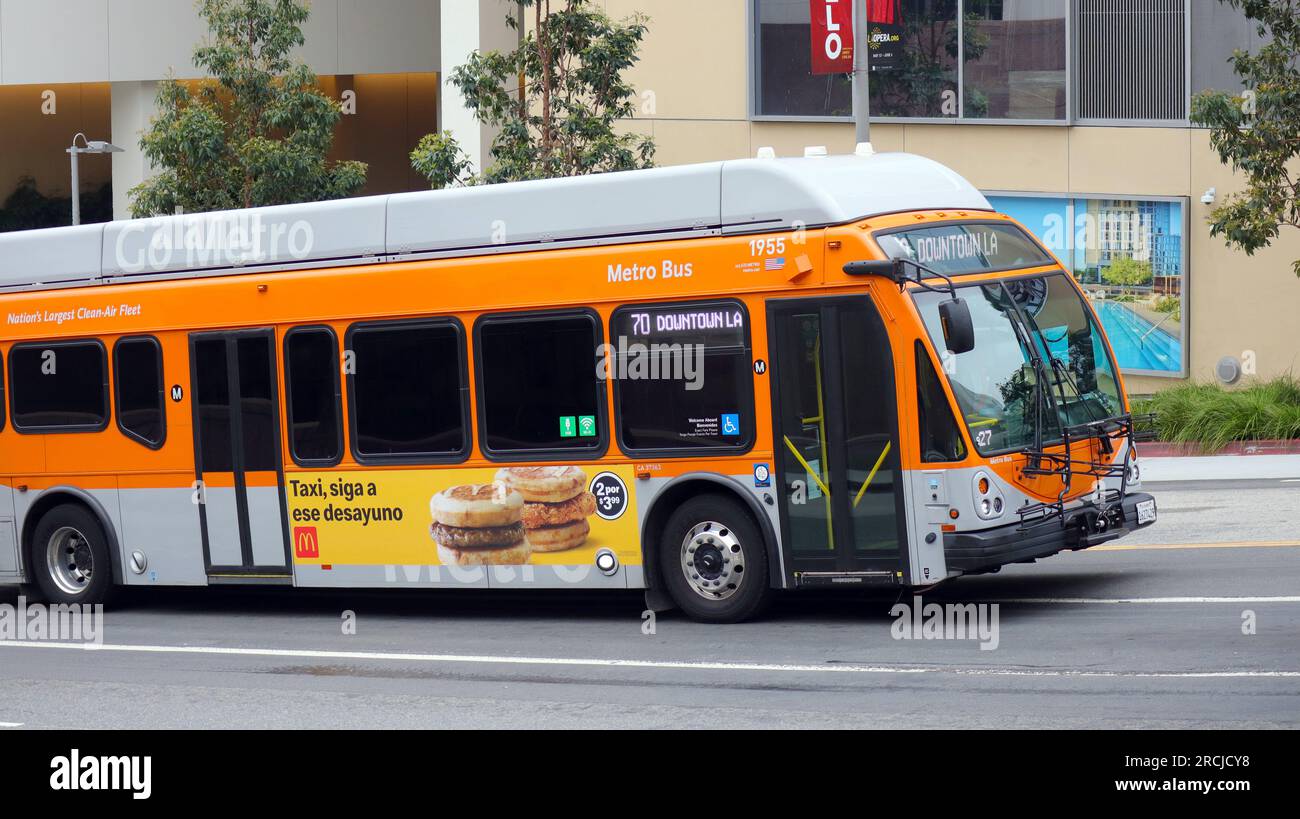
(1133, 60)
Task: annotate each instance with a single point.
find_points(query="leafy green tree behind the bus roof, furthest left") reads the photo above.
(257, 133)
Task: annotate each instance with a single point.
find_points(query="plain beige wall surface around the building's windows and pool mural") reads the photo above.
(696, 63)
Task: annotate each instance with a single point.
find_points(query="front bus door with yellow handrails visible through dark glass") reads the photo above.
(837, 441)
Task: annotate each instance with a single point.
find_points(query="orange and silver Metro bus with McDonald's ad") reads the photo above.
(709, 383)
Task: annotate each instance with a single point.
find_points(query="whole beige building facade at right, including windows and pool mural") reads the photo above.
(1072, 115)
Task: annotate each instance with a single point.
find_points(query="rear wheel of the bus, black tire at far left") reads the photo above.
(81, 541)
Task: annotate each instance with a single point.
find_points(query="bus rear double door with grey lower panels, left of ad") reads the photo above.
(237, 456)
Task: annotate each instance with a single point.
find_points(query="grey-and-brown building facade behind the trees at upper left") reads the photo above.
(93, 67)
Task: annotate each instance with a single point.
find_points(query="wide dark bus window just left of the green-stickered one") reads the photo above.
(408, 392)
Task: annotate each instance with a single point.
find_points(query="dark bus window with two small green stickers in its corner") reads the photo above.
(539, 388)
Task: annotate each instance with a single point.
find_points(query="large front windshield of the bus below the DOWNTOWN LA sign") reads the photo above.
(1039, 362)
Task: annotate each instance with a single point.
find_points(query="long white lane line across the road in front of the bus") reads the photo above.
(630, 664)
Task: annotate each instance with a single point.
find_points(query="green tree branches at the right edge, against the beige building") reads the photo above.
(1258, 132)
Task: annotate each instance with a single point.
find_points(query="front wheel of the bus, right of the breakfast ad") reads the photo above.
(731, 583)
